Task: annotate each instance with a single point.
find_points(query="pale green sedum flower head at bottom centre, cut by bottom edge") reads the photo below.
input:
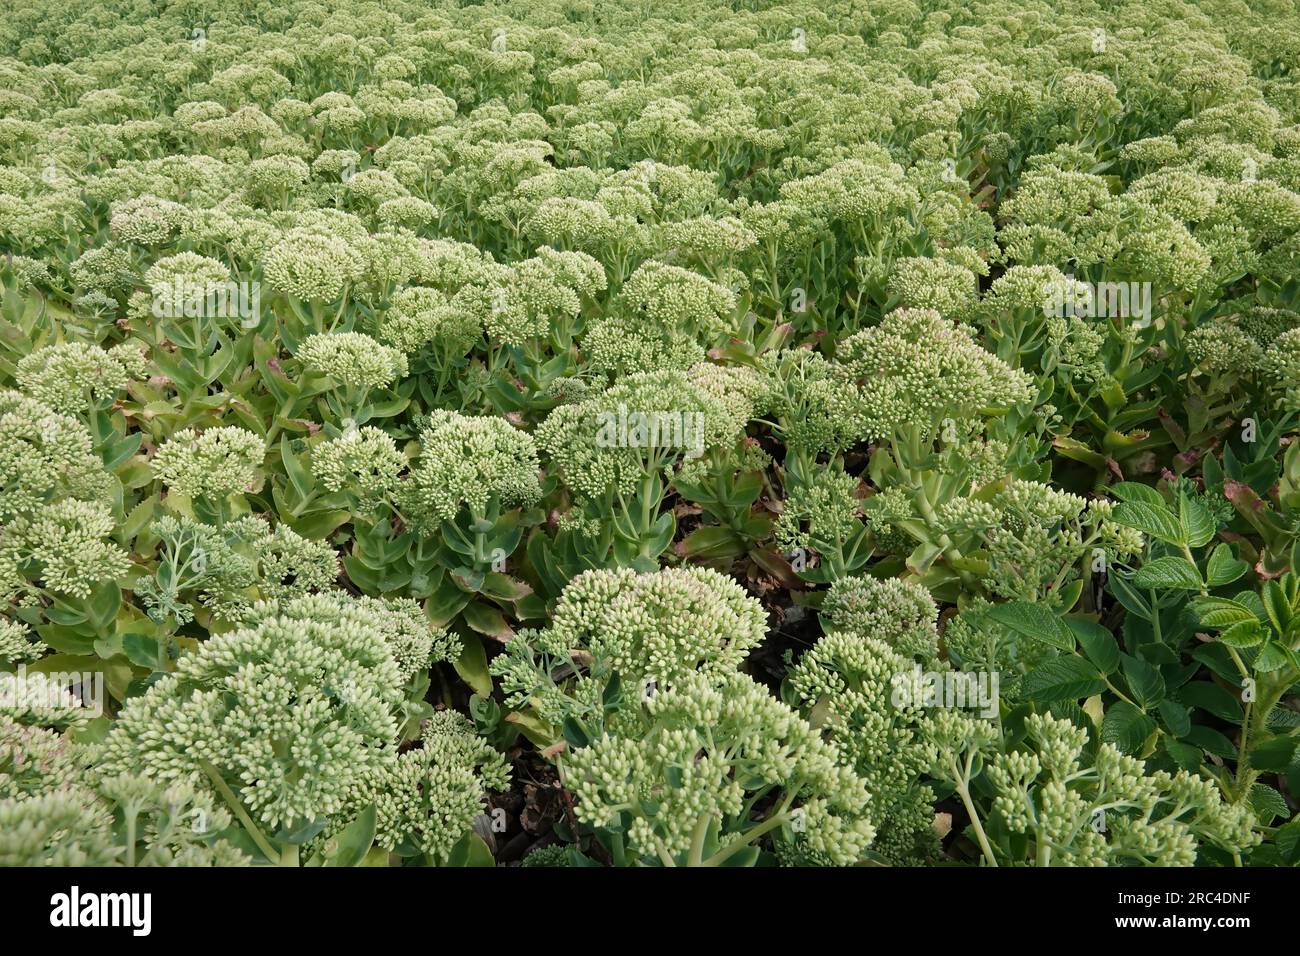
(679, 788)
